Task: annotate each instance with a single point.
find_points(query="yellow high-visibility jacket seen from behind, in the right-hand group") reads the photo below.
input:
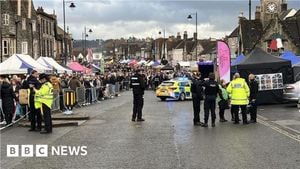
(239, 91)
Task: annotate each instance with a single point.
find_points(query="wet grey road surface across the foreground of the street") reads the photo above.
(166, 140)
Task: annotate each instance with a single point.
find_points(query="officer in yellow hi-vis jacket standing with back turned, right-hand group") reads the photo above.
(239, 91)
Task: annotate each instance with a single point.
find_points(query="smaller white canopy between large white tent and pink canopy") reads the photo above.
(50, 62)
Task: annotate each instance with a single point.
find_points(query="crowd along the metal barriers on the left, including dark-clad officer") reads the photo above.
(108, 85)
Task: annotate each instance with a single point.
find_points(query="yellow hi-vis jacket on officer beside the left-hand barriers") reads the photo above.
(44, 95)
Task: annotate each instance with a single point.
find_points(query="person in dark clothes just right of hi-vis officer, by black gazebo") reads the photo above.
(253, 85)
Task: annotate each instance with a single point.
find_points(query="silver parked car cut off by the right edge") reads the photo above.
(291, 92)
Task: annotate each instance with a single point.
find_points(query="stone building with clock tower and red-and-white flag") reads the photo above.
(275, 29)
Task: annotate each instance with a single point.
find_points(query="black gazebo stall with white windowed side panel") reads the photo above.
(271, 73)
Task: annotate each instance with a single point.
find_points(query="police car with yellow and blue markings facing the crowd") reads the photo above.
(178, 89)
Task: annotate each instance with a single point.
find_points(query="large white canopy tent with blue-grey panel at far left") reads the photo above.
(19, 64)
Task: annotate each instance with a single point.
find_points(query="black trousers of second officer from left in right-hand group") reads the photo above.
(209, 106)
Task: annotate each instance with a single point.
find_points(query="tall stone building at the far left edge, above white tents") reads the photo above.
(18, 28)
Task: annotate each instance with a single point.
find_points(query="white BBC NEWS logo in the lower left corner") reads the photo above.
(43, 151)
